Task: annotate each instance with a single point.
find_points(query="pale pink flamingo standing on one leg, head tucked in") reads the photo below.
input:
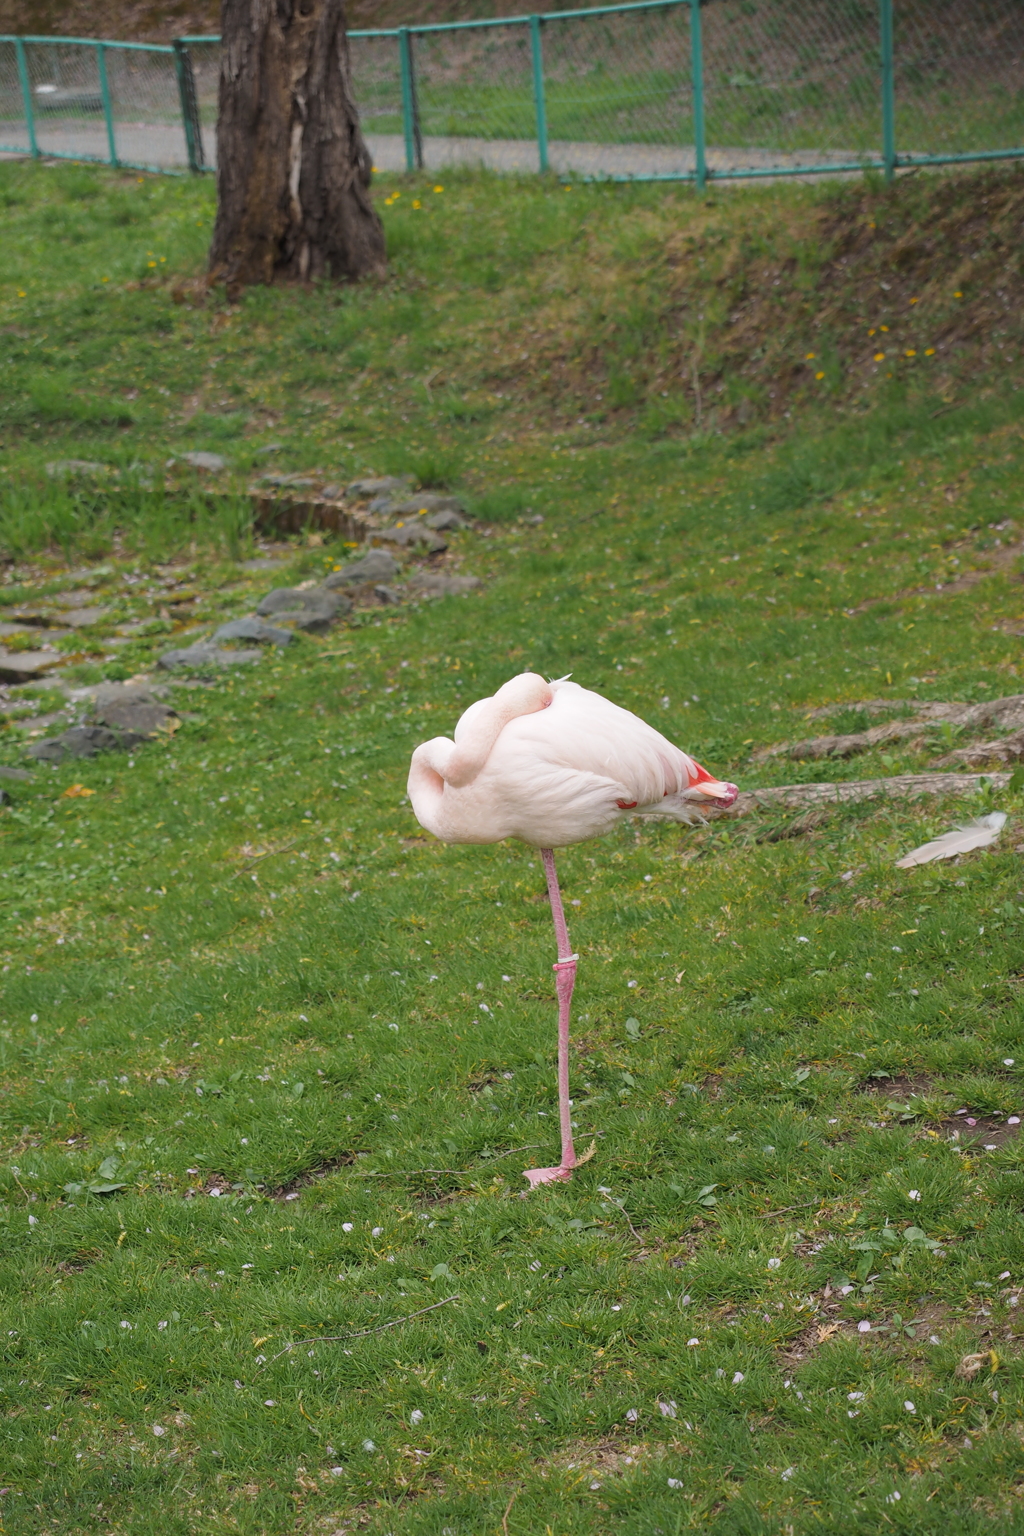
(553, 764)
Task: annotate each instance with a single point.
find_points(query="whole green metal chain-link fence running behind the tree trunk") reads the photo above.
(656, 90)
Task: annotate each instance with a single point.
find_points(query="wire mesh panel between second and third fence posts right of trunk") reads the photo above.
(619, 93)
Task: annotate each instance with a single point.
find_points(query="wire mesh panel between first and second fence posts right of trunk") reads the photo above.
(474, 96)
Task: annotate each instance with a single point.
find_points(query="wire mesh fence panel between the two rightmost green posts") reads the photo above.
(791, 88)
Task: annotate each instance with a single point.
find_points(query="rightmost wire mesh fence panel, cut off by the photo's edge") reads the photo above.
(960, 78)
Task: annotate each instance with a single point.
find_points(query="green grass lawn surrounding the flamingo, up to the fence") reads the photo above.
(273, 1061)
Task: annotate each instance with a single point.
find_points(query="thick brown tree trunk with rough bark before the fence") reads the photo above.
(294, 170)
